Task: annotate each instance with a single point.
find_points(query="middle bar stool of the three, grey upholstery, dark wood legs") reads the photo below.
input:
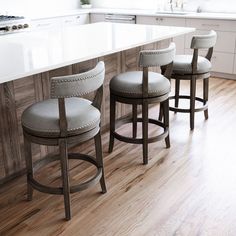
(142, 88)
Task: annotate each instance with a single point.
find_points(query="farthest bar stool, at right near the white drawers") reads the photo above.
(192, 68)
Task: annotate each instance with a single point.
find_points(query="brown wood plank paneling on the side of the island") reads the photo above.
(17, 95)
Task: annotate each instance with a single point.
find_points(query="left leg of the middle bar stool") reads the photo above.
(112, 121)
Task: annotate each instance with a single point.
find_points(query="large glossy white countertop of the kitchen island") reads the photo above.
(29, 53)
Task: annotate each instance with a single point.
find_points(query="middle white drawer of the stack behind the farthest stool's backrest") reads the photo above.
(225, 40)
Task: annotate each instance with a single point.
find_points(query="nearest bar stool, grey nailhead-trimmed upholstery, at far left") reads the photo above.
(62, 120)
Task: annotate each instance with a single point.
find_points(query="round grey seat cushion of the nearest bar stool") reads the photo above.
(42, 118)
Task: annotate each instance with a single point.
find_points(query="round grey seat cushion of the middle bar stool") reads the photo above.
(129, 84)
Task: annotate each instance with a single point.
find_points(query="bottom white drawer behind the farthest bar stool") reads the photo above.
(221, 62)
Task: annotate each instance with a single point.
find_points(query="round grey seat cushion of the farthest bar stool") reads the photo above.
(182, 65)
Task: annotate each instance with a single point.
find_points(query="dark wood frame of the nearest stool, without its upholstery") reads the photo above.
(63, 141)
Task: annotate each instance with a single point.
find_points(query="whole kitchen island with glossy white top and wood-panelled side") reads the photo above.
(28, 61)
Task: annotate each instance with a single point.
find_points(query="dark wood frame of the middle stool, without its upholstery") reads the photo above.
(144, 102)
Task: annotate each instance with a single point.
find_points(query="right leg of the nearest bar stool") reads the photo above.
(99, 157)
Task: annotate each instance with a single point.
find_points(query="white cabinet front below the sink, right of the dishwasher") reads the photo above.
(151, 20)
